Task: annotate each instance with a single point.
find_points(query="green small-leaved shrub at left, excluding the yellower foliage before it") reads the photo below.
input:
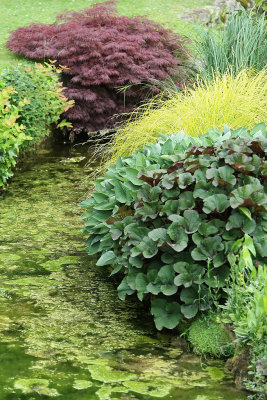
(45, 102)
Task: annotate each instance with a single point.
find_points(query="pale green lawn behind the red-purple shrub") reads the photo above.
(15, 13)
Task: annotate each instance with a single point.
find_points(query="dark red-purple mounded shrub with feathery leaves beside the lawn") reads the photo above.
(103, 51)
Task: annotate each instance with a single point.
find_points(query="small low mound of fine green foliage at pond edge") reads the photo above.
(208, 338)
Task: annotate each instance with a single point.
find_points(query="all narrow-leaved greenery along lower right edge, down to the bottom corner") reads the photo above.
(246, 310)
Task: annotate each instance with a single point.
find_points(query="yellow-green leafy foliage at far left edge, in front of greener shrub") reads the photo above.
(11, 133)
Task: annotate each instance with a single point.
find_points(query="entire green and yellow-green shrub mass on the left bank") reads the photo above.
(31, 100)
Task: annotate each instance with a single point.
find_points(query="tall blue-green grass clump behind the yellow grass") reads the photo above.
(242, 44)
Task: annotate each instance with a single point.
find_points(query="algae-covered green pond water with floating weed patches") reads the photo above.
(63, 331)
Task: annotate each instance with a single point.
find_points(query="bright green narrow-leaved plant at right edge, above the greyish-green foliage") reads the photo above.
(246, 305)
